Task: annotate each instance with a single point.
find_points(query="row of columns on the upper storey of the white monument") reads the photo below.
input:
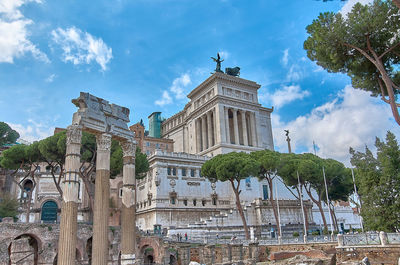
(237, 126)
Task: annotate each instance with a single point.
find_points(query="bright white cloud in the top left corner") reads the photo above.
(14, 33)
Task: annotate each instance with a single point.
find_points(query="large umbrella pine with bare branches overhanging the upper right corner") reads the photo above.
(364, 44)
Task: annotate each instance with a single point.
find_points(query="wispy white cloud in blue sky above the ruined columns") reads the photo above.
(82, 48)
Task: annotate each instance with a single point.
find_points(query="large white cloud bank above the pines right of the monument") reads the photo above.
(353, 119)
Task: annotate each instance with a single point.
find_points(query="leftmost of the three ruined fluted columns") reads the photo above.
(68, 226)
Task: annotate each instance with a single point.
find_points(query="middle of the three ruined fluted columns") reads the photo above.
(101, 200)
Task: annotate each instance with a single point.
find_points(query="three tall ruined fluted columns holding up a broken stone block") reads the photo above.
(68, 226)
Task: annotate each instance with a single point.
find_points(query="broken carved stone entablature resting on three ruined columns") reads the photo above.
(99, 116)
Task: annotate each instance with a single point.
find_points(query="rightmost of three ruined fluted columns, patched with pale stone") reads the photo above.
(128, 224)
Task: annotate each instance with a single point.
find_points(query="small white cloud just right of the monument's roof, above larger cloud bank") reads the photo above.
(285, 95)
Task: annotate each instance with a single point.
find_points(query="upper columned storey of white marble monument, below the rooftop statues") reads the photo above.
(223, 115)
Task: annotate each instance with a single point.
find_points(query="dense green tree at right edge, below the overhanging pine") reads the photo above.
(378, 183)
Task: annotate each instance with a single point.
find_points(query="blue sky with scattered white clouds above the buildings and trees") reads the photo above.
(147, 55)
